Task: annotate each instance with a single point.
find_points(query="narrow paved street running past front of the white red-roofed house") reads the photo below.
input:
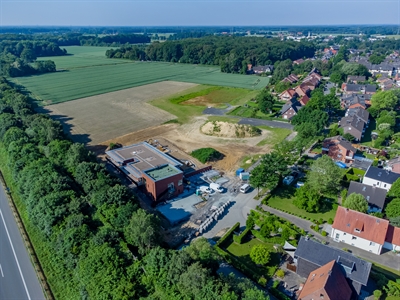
(387, 259)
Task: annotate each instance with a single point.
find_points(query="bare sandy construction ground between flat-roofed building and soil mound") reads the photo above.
(182, 140)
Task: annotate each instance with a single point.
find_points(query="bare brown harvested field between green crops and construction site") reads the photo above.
(96, 119)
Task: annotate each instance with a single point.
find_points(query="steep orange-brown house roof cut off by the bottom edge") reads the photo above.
(327, 283)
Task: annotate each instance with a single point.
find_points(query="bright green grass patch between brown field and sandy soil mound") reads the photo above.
(180, 106)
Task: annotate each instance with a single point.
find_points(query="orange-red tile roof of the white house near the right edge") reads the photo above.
(374, 229)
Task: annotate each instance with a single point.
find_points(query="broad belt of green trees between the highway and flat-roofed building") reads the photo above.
(91, 238)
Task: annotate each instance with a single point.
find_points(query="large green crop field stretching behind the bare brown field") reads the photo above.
(87, 73)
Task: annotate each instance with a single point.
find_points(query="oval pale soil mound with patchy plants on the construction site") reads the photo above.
(229, 130)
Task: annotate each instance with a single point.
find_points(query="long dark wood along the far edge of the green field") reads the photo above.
(232, 54)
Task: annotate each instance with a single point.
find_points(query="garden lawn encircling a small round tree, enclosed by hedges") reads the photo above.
(242, 252)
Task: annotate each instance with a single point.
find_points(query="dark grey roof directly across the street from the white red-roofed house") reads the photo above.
(320, 255)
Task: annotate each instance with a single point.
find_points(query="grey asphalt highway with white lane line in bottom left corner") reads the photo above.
(18, 279)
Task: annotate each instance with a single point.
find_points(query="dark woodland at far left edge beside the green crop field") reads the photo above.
(18, 57)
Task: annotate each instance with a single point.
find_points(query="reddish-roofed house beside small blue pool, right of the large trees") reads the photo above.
(339, 149)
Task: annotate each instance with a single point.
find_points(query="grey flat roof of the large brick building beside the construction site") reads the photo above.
(141, 156)
